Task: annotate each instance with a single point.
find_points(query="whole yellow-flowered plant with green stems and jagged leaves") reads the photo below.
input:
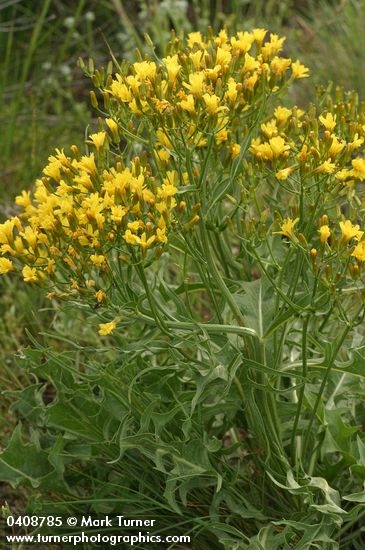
(217, 232)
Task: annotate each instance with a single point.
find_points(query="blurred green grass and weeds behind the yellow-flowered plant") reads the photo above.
(44, 103)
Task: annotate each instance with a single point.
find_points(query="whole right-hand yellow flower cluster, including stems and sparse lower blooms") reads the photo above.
(313, 163)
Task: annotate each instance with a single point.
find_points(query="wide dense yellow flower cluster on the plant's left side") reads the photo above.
(85, 214)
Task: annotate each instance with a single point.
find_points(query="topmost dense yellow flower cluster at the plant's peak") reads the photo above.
(204, 87)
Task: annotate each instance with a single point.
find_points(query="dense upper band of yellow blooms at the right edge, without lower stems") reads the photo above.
(302, 145)
